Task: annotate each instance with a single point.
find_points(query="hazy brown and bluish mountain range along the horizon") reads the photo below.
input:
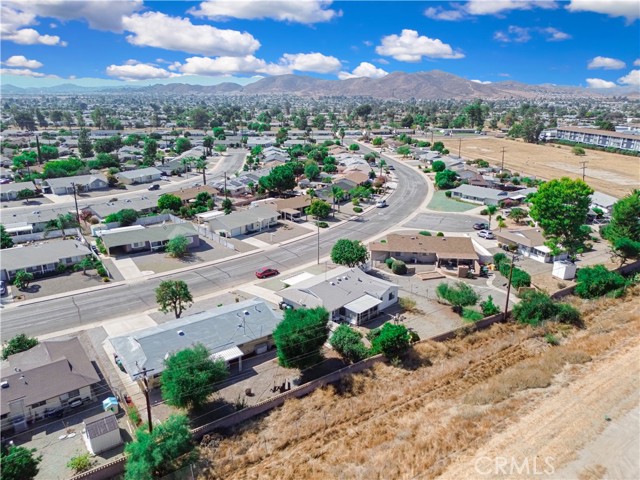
(433, 85)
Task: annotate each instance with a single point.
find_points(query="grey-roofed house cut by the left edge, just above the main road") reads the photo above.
(41, 258)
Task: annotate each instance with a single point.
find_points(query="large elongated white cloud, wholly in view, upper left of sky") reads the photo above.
(155, 29)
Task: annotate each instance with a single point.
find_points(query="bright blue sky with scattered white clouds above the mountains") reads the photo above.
(591, 43)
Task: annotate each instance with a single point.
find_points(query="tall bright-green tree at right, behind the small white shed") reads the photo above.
(560, 207)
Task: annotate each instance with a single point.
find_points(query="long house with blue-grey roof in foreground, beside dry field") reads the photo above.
(230, 332)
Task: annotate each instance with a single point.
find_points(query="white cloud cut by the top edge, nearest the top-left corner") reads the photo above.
(99, 14)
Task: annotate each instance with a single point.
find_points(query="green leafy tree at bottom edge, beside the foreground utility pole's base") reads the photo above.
(154, 455)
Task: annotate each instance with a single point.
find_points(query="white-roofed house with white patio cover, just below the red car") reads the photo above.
(349, 294)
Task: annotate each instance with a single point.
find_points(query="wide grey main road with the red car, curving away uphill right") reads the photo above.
(128, 298)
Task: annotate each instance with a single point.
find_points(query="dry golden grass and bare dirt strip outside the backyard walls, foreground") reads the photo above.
(500, 392)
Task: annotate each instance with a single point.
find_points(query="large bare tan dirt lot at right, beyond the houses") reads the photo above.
(609, 173)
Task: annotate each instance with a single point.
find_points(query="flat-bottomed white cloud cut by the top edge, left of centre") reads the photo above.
(299, 11)
